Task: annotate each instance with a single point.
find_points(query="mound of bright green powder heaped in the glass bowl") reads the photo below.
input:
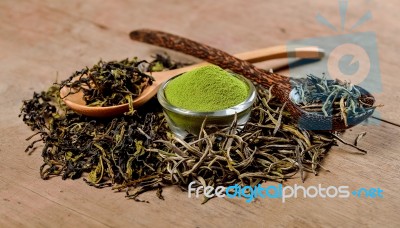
(206, 89)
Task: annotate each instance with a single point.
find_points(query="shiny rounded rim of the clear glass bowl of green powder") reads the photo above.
(219, 113)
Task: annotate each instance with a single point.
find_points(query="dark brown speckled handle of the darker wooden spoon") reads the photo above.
(214, 56)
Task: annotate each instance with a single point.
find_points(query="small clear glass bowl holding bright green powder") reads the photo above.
(182, 121)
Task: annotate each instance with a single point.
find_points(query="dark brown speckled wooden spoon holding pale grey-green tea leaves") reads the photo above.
(282, 86)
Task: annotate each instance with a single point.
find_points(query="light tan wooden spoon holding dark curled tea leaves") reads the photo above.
(76, 102)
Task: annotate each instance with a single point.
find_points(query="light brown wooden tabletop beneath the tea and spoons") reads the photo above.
(41, 40)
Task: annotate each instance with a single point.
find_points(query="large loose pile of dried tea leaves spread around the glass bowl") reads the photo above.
(138, 153)
